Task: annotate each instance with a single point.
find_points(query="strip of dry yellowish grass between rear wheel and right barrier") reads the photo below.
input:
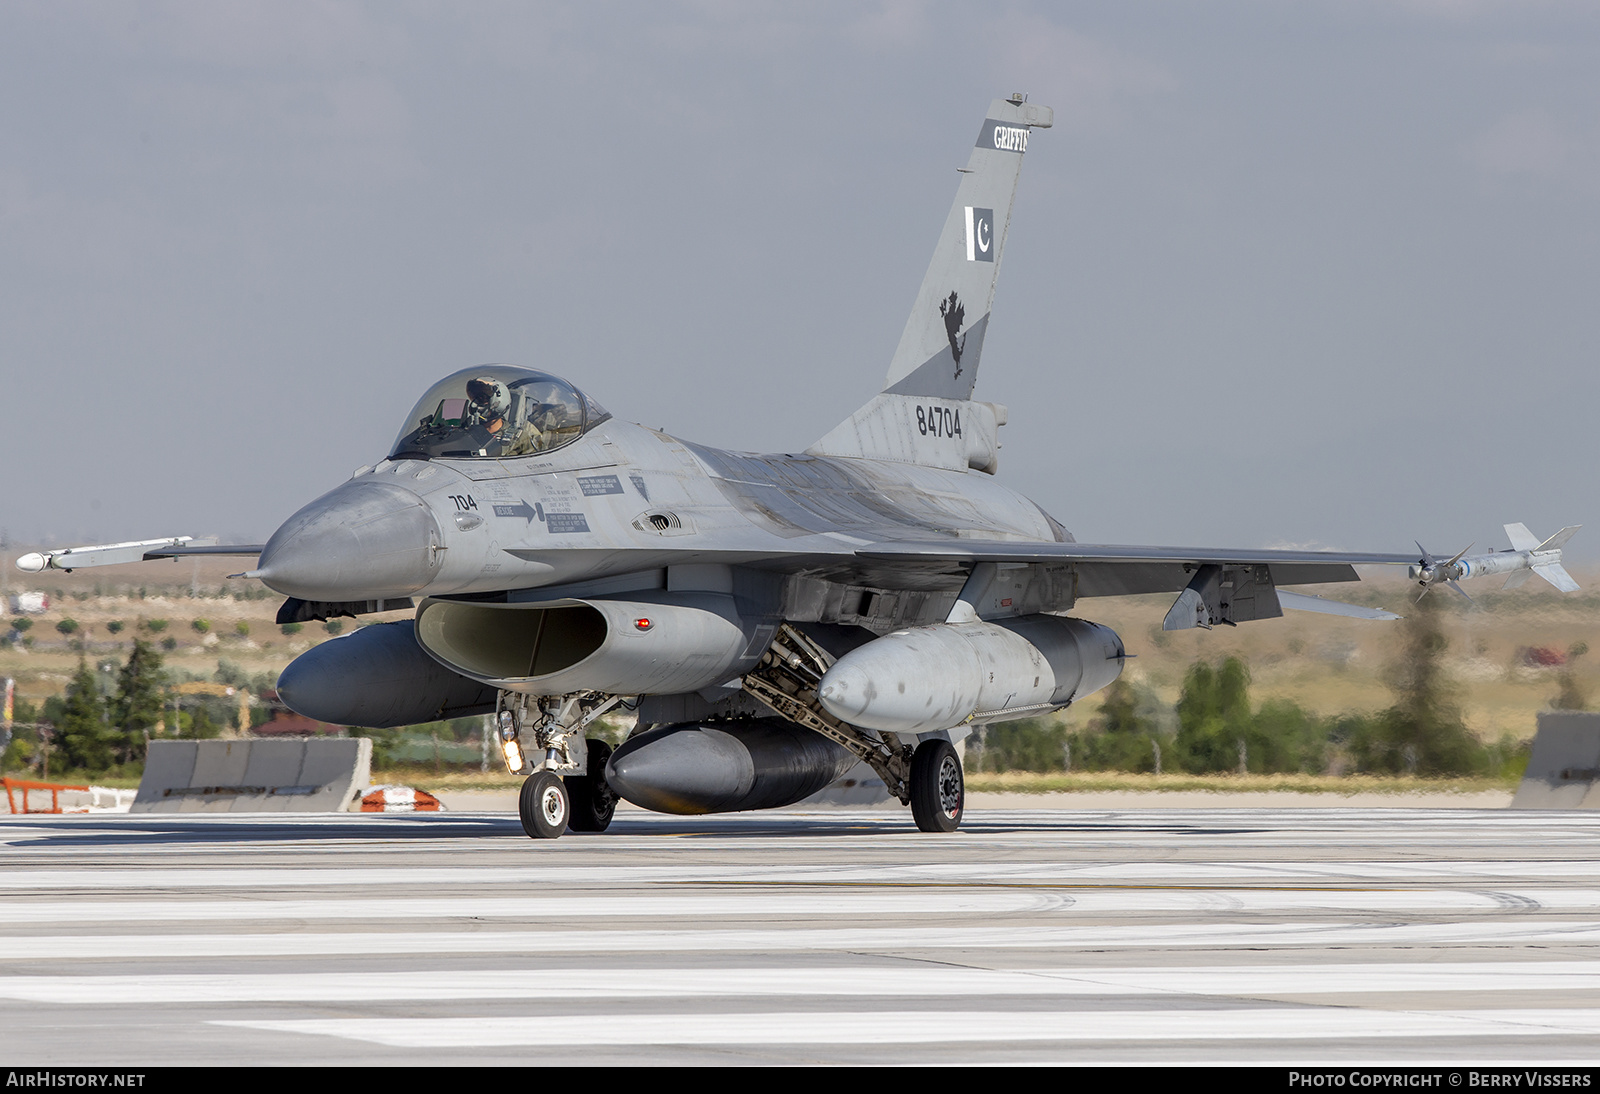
(1102, 781)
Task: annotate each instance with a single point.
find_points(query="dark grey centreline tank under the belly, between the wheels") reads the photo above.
(726, 767)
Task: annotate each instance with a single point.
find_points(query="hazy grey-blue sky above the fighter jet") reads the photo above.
(1282, 273)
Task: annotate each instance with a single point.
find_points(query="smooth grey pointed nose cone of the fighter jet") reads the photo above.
(362, 541)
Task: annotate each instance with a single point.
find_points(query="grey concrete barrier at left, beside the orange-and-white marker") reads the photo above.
(255, 777)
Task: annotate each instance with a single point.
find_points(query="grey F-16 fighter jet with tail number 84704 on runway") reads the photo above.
(770, 620)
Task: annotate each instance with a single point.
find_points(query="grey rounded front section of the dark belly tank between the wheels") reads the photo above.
(674, 772)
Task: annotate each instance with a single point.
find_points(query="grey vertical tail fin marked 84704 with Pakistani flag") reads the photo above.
(926, 413)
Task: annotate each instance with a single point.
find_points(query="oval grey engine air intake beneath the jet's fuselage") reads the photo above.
(652, 644)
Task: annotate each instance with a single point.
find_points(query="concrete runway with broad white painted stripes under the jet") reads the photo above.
(1273, 936)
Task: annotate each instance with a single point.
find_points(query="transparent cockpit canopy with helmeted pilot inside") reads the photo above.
(495, 412)
